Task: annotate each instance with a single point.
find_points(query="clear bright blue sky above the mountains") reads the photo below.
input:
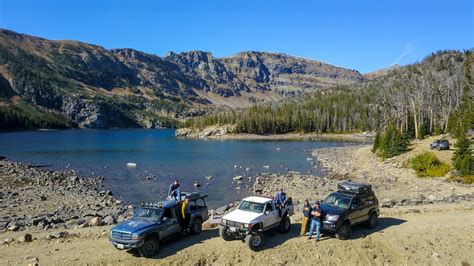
(364, 35)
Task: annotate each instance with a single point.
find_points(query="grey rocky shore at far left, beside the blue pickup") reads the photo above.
(36, 199)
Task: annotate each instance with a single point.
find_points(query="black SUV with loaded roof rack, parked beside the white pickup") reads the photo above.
(352, 204)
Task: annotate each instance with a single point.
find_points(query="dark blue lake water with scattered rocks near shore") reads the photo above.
(160, 158)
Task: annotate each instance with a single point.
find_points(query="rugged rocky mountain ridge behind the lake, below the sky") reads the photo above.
(98, 87)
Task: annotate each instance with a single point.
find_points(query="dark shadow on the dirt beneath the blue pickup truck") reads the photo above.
(179, 243)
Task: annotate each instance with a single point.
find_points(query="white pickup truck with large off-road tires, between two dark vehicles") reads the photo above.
(255, 215)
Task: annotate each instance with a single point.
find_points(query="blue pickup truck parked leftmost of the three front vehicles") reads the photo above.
(154, 223)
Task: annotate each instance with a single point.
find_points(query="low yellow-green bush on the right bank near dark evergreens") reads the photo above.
(427, 165)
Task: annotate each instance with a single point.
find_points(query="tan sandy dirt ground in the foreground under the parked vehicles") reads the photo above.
(437, 235)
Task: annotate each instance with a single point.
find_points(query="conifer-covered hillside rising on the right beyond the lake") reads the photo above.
(424, 98)
